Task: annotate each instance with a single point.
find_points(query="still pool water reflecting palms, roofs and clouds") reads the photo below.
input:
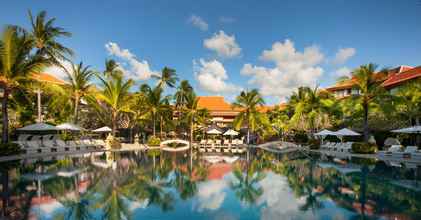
(136, 185)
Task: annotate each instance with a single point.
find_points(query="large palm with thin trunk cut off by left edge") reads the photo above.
(16, 64)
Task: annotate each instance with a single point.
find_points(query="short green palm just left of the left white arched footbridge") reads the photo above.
(156, 103)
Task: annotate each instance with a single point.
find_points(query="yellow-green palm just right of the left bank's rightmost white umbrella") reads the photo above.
(115, 95)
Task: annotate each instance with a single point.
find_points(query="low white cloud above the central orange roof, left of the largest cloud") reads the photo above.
(212, 76)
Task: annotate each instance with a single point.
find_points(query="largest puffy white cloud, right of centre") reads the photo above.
(292, 69)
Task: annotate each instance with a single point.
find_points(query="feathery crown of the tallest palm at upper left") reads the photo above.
(45, 34)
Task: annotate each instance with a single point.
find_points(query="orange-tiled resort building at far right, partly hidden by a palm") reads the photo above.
(391, 81)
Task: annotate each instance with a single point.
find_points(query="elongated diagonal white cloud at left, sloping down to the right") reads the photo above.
(139, 70)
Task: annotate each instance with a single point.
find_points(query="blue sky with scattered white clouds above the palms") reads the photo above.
(225, 46)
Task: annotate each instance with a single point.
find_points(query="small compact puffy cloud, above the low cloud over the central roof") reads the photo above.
(224, 45)
